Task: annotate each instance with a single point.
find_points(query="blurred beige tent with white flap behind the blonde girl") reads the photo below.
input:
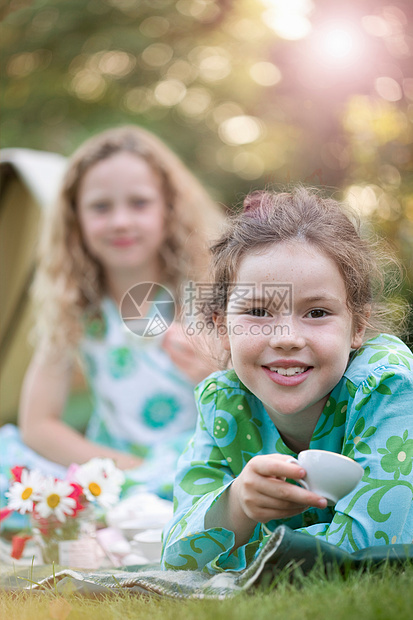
(29, 182)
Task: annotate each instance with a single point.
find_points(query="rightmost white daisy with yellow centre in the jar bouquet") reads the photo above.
(101, 481)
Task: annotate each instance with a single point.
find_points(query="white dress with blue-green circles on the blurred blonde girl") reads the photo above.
(143, 405)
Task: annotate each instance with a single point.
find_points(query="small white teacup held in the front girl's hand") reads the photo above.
(329, 474)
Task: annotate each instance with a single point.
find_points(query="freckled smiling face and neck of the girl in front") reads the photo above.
(290, 357)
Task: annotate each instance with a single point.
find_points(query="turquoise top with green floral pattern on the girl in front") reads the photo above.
(368, 417)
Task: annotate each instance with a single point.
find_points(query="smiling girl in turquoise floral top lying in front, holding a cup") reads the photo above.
(294, 303)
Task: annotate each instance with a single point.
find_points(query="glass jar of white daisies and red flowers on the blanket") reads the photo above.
(63, 512)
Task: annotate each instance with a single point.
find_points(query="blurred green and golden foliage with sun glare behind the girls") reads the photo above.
(247, 92)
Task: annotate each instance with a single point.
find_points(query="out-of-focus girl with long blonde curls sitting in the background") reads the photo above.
(129, 212)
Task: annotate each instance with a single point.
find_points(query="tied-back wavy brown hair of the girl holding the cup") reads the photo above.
(368, 269)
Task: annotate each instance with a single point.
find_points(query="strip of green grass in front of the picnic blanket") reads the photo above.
(386, 594)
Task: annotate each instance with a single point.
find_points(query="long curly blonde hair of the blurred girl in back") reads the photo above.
(69, 280)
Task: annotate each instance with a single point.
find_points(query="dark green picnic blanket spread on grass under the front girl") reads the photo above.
(285, 550)
